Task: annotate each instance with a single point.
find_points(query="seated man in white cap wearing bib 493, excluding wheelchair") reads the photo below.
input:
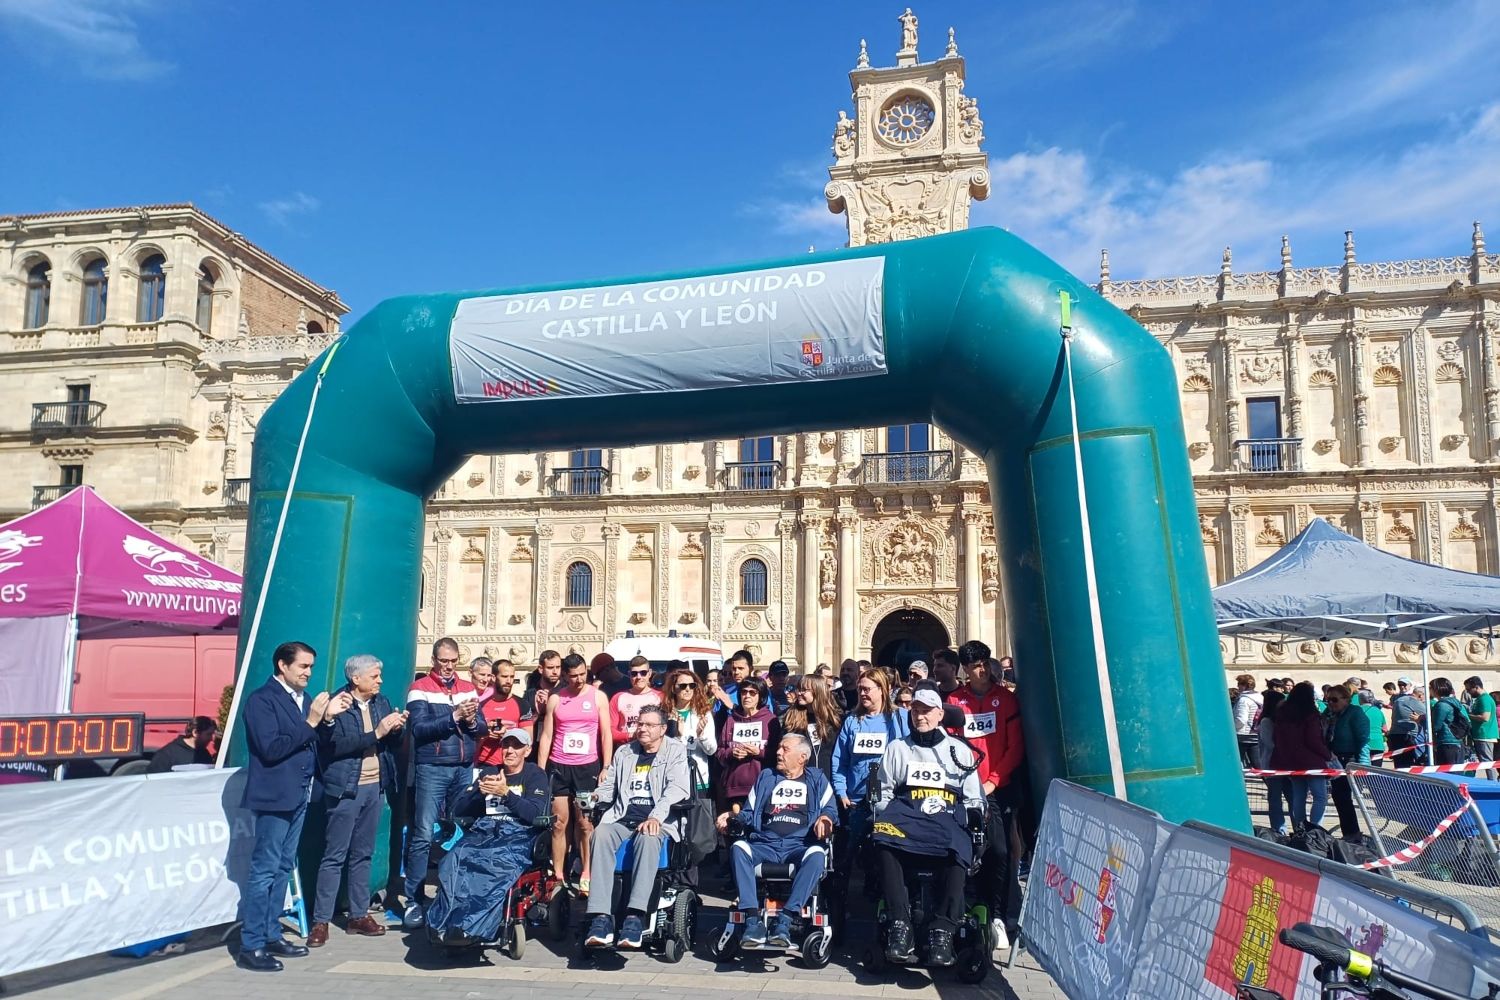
(928, 807)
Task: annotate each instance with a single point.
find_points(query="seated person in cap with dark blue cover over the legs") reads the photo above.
(502, 809)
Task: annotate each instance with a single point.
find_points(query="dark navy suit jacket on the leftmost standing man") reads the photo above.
(284, 750)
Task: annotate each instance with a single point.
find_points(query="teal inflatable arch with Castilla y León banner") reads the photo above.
(961, 331)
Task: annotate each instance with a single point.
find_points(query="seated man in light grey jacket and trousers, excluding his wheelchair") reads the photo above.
(647, 777)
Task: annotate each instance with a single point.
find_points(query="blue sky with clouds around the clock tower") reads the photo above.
(388, 149)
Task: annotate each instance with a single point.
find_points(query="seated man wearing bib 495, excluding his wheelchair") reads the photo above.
(785, 819)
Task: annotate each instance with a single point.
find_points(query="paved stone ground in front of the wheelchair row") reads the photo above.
(403, 966)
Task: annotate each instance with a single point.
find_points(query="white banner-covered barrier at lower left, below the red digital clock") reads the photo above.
(101, 864)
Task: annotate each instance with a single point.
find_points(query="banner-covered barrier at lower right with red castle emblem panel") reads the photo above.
(1124, 905)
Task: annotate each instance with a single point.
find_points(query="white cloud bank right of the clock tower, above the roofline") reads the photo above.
(1418, 197)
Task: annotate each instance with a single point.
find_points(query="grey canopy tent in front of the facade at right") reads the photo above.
(1330, 585)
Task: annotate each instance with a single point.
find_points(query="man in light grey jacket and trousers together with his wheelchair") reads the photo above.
(637, 828)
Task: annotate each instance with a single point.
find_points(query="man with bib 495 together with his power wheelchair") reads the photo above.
(782, 839)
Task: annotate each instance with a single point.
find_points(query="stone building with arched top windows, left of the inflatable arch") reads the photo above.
(139, 350)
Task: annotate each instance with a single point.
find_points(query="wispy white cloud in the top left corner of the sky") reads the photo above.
(100, 37)
